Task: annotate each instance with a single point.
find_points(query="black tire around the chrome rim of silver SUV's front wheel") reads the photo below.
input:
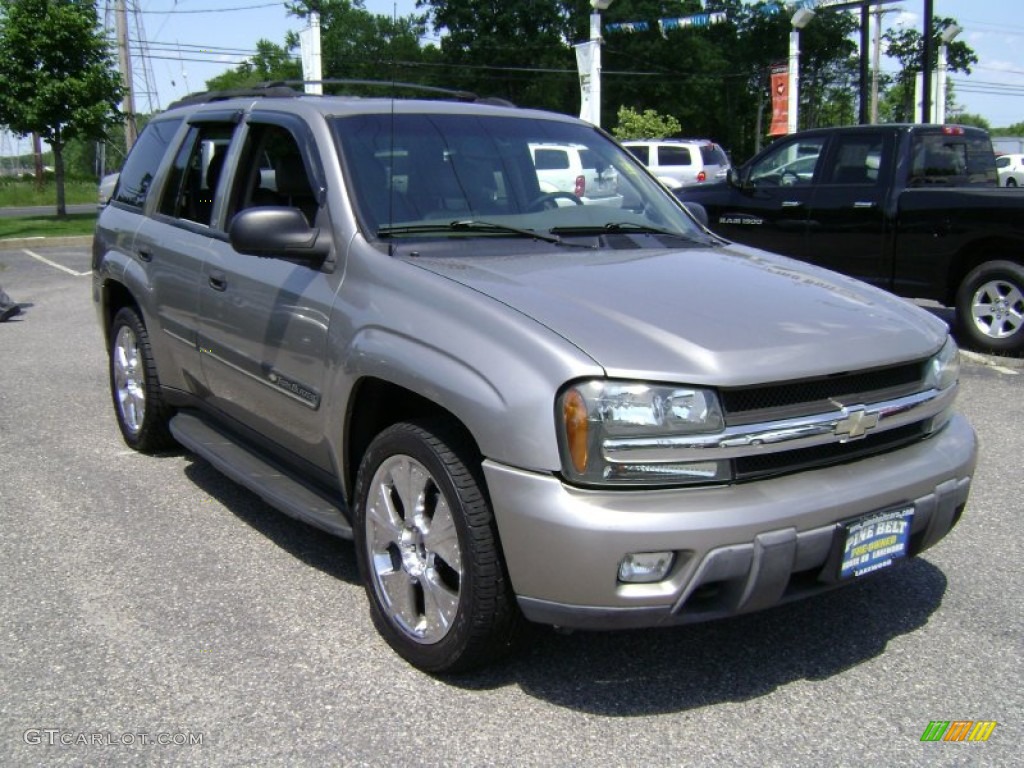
(470, 643)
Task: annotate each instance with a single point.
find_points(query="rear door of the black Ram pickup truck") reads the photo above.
(846, 218)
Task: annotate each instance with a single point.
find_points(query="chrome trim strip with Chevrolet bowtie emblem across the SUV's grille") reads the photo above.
(845, 425)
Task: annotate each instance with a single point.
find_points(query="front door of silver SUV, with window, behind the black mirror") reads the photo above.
(266, 320)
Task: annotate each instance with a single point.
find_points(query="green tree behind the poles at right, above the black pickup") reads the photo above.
(906, 46)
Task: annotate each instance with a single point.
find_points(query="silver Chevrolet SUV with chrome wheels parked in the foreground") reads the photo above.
(370, 313)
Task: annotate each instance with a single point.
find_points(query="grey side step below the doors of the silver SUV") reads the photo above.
(281, 491)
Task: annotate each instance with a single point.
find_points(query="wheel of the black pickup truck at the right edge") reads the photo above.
(991, 307)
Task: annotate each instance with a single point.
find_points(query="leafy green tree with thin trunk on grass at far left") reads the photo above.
(57, 75)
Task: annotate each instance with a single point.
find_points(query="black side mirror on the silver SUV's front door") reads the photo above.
(280, 232)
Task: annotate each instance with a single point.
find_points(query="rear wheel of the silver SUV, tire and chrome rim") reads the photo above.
(142, 414)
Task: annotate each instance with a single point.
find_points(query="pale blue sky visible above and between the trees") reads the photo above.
(191, 41)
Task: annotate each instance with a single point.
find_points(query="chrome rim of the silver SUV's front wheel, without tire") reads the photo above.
(413, 550)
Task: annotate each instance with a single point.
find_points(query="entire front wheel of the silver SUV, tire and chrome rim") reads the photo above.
(429, 551)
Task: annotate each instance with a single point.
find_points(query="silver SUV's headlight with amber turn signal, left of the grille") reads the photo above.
(595, 415)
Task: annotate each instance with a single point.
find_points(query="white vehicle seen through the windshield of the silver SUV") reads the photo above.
(575, 170)
